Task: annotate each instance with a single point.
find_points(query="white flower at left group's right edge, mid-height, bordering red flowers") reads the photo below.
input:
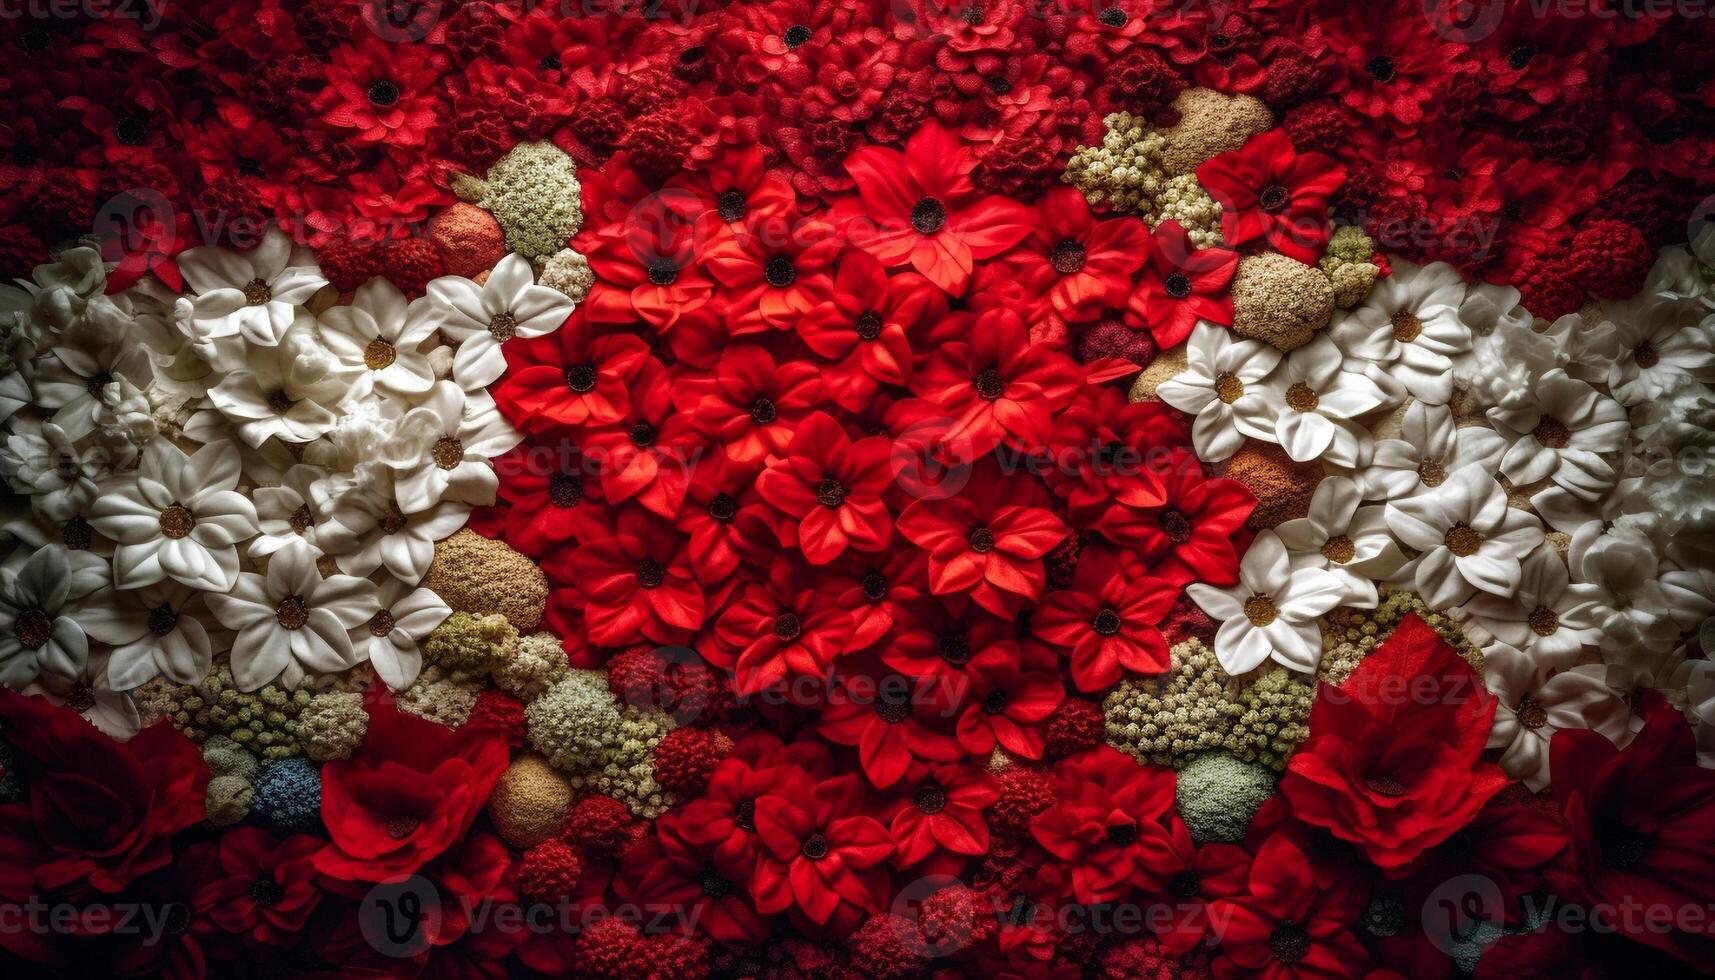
(457, 439)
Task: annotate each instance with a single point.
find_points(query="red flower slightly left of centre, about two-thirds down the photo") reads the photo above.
(778, 627)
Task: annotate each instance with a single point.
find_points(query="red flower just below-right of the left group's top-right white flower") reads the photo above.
(574, 377)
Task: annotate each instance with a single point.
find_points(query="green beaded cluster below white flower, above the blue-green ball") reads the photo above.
(1196, 708)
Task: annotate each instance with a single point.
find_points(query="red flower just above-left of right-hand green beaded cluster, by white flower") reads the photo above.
(1109, 620)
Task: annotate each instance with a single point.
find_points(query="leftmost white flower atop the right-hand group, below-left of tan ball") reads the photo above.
(1222, 389)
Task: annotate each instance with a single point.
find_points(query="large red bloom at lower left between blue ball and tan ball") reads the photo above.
(411, 794)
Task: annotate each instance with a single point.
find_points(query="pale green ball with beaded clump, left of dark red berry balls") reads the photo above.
(603, 747)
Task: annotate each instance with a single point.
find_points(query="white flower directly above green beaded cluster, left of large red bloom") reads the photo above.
(1272, 612)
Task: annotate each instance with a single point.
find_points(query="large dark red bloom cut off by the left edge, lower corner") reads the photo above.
(93, 811)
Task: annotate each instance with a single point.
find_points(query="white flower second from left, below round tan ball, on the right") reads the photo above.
(1313, 401)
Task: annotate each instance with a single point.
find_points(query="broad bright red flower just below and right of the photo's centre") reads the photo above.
(989, 540)
